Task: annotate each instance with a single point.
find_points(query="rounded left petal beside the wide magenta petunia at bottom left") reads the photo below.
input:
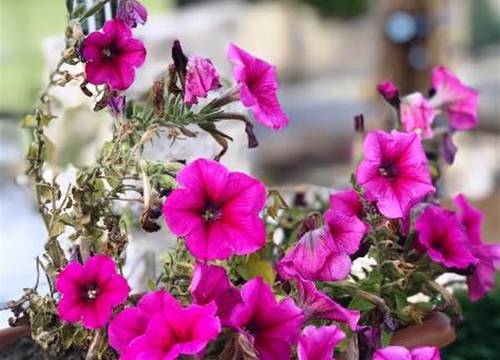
(127, 325)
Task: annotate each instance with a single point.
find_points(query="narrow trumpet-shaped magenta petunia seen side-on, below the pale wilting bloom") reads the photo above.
(318, 305)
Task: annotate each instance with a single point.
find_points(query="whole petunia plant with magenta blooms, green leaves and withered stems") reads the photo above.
(251, 277)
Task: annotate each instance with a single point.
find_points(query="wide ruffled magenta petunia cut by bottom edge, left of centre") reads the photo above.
(176, 331)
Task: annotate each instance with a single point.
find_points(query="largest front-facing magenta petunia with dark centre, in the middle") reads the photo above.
(217, 211)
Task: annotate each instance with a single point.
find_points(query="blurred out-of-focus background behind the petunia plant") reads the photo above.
(330, 54)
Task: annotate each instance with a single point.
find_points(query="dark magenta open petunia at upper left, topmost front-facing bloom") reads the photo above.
(111, 56)
